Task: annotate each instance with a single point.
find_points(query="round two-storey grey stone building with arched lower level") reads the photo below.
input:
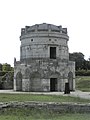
(44, 60)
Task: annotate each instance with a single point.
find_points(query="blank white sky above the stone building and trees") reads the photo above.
(16, 14)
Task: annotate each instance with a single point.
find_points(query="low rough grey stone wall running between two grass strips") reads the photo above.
(59, 107)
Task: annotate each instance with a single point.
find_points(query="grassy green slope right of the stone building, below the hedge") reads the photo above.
(83, 83)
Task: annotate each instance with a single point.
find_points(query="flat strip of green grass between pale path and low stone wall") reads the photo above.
(41, 98)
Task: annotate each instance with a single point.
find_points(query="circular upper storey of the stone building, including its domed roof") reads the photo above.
(44, 41)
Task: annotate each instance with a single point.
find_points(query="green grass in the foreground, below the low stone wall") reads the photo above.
(34, 114)
